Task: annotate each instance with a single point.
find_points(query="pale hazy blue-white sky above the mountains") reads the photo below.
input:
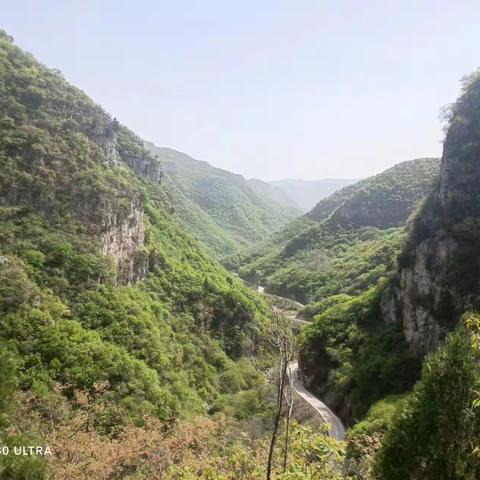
(269, 89)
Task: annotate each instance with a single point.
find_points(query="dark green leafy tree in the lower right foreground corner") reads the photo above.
(436, 432)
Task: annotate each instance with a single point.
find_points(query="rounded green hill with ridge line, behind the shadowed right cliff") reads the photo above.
(357, 229)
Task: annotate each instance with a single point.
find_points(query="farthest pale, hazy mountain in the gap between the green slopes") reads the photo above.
(306, 193)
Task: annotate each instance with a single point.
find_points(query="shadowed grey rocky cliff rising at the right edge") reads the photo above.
(439, 272)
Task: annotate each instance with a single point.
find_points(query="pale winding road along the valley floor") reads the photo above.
(337, 429)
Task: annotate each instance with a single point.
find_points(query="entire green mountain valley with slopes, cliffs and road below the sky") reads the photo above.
(161, 317)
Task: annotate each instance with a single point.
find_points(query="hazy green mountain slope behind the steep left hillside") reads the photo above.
(243, 211)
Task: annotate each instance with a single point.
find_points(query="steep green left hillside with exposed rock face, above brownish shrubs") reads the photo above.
(107, 305)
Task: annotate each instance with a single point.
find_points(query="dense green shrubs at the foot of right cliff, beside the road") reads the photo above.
(354, 359)
